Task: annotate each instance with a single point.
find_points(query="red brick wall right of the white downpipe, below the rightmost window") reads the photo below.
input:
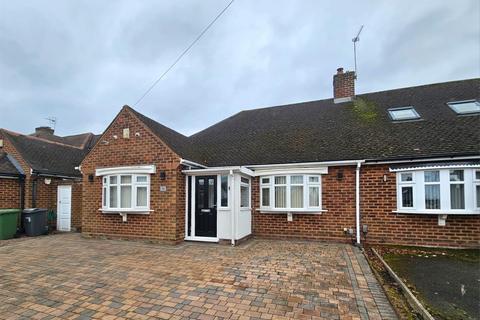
(378, 200)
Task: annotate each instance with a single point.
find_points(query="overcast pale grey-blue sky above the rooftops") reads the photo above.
(81, 61)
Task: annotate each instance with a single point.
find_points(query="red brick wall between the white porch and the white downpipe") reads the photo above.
(338, 197)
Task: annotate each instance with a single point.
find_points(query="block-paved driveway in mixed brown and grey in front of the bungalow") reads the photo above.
(65, 276)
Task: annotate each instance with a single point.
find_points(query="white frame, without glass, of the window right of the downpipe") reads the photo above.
(419, 183)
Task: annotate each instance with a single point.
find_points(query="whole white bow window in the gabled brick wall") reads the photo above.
(126, 192)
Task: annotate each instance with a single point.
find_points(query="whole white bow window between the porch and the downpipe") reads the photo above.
(290, 192)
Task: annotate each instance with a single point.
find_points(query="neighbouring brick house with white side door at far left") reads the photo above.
(39, 171)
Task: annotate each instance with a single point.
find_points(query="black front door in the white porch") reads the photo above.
(206, 206)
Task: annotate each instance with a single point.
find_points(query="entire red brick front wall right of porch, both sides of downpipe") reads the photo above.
(378, 200)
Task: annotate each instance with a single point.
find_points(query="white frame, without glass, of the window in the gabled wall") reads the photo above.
(134, 184)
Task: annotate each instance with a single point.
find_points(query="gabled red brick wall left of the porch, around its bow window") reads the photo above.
(165, 222)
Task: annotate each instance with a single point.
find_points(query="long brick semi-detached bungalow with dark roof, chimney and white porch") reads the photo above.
(399, 166)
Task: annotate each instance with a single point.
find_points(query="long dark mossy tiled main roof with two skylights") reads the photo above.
(325, 131)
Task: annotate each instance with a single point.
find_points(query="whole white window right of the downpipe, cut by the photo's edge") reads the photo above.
(442, 191)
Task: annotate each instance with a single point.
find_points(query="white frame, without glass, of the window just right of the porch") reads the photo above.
(306, 190)
